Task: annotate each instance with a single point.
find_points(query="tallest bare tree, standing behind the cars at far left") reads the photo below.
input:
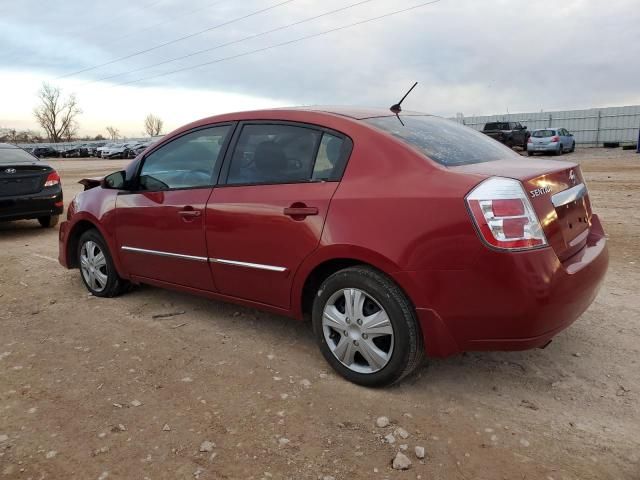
(55, 114)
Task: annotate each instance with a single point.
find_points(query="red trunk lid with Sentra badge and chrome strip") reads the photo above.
(557, 193)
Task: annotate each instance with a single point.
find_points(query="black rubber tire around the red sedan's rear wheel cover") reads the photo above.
(407, 351)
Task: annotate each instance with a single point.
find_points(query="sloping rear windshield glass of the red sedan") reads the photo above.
(444, 141)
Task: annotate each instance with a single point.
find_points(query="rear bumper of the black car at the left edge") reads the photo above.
(42, 204)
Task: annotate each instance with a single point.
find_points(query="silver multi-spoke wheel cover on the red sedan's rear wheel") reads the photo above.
(358, 330)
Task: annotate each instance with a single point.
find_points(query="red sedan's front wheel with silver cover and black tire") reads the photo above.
(96, 266)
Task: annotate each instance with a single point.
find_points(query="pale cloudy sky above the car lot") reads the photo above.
(470, 56)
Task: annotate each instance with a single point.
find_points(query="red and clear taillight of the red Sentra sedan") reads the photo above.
(504, 216)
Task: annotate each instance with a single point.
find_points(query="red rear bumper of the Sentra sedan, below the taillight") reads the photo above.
(508, 301)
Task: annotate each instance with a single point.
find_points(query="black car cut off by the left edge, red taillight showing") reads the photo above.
(29, 188)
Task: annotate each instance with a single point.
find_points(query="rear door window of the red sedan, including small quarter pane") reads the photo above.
(272, 153)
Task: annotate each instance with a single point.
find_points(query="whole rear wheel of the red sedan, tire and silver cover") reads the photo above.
(366, 327)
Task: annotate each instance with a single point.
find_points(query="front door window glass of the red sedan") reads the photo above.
(187, 162)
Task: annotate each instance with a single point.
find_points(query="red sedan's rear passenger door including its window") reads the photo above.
(268, 212)
